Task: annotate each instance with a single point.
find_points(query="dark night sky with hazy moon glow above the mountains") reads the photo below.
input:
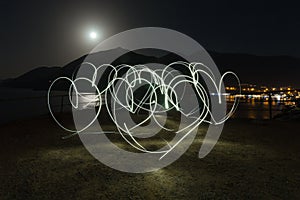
(53, 33)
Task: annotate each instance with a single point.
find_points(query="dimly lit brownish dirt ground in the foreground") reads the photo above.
(252, 160)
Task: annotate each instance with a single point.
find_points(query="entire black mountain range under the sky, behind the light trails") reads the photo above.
(268, 70)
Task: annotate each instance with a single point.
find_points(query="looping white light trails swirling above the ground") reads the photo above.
(159, 83)
